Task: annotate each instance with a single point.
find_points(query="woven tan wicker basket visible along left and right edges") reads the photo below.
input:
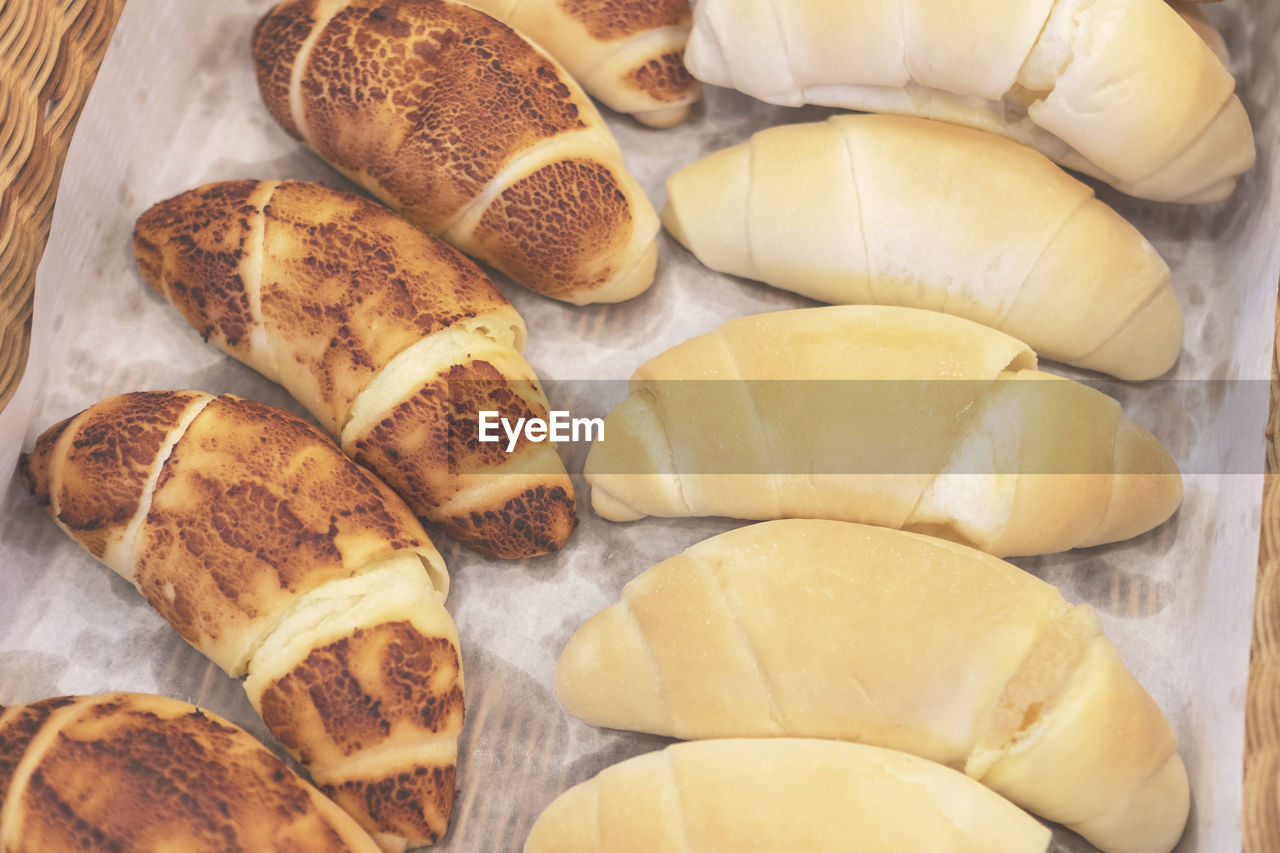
(51, 52)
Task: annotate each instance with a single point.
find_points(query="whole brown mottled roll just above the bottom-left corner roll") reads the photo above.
(273, 554)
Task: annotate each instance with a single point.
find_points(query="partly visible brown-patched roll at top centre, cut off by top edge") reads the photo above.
(629, 56)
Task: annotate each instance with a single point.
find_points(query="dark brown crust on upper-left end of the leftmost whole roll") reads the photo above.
(109, 462)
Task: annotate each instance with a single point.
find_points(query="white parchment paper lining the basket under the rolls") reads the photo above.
(176, 106)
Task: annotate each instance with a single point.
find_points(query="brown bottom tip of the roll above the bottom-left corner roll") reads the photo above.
(414, 804)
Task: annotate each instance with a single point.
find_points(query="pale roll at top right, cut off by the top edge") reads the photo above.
(1122, 90)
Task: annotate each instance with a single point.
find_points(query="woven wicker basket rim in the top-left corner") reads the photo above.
(52, 51)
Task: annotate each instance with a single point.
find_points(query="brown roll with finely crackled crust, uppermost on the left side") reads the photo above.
(468, 130)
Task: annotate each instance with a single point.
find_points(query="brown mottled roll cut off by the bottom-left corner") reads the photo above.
(140, 773)
